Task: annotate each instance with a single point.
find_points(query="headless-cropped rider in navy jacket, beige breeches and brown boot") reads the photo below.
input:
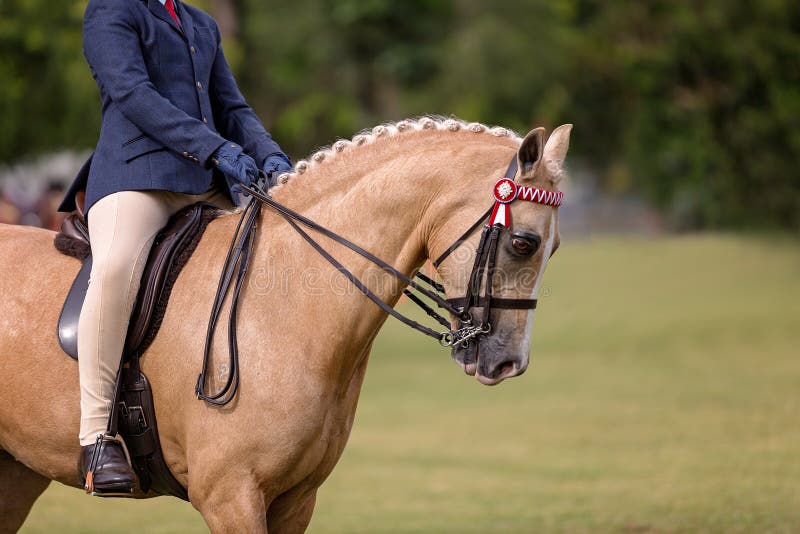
(172, 115)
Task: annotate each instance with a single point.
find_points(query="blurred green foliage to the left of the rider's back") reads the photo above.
(48, 99)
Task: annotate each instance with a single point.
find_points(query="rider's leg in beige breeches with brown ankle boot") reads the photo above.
(122, 227)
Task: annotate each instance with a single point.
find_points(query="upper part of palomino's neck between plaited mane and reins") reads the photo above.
(393, 196)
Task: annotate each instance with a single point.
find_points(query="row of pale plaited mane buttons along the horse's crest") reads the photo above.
(395, 129)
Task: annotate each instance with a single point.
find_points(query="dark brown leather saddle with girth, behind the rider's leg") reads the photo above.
(136, 420)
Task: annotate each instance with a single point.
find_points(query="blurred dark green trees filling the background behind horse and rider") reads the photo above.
(695, 105)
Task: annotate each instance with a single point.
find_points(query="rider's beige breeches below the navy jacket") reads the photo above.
(122, 227)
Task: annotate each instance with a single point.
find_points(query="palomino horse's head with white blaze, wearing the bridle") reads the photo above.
(523, 247)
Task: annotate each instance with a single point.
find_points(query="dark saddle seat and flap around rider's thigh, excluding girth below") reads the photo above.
(171, 251)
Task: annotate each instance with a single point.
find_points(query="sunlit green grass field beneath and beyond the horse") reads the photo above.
(663, 396)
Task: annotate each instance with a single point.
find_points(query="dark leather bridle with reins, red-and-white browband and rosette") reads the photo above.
(237, 260)
